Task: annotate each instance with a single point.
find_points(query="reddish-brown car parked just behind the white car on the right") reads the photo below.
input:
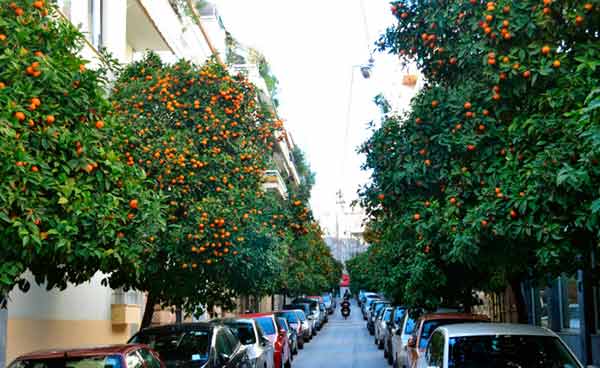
(427, 323)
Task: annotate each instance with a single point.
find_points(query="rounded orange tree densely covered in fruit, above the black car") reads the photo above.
(205, 141)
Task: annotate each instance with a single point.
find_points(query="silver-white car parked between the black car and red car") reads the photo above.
(259, 347)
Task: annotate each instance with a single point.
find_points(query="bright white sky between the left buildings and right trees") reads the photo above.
(312, 46)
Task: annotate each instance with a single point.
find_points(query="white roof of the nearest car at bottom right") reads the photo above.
(493, 329)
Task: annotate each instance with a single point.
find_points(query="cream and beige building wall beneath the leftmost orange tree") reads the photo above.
(78, 316)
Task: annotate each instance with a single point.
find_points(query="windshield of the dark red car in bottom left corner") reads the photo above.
(103, 361)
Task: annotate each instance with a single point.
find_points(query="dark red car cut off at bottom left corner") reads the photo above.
(116, 356)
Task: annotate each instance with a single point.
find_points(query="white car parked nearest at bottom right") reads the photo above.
(496, 345)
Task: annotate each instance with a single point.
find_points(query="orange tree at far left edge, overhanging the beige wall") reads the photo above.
(65, 193)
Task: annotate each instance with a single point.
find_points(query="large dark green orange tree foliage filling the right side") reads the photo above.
(491, 177)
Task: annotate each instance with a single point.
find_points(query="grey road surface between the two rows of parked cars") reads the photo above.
(342, 344)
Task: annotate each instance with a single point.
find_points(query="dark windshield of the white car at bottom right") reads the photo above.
(509, 351)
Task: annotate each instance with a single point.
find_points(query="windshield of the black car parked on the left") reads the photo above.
(175, 347)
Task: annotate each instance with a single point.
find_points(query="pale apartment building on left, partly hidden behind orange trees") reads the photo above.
(91, 313)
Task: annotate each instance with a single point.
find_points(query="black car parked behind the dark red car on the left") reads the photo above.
(195, 345)
